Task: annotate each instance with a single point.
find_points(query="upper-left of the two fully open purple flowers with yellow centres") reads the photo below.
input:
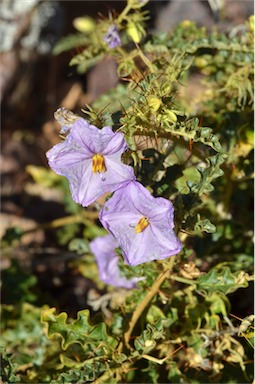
(90, 158)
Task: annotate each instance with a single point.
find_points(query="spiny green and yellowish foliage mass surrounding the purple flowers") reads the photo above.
(180, 324)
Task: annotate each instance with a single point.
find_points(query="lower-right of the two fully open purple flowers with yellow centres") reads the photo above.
(142, 224)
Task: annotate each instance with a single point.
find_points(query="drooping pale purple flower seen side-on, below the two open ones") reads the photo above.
(107, 261)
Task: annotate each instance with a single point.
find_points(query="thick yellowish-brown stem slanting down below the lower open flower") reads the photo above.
(137, 313)
